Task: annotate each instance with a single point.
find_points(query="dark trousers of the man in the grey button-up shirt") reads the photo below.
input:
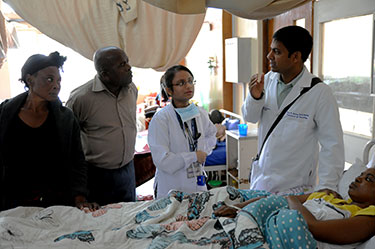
(112, 185)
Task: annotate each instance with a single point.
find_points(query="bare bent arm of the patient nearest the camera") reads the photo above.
(339, 231)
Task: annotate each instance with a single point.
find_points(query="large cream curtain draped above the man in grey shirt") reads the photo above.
(152, 37)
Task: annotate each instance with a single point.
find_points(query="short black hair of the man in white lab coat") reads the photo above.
(295, 38)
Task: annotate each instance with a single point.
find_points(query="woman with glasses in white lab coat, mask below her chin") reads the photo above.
(180, 136)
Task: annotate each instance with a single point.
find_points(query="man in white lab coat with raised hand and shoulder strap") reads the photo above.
(291, 156)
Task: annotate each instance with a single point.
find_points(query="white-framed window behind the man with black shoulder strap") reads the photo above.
(342, 56)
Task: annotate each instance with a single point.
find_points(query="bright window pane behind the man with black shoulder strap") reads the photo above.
(346, 68)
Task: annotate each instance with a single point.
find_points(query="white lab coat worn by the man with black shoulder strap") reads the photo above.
(291, 153)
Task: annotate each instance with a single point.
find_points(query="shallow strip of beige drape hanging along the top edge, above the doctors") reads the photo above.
(250, 9)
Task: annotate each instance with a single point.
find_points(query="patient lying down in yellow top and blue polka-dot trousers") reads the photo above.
(329, 218)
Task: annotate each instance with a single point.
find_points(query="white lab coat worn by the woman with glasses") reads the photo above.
(171, 153)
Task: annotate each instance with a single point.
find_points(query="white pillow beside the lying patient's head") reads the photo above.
(348, 177)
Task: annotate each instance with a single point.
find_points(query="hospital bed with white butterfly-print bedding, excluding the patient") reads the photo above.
(179, 221)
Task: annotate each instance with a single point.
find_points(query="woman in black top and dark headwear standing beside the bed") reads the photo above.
(41, 158)
